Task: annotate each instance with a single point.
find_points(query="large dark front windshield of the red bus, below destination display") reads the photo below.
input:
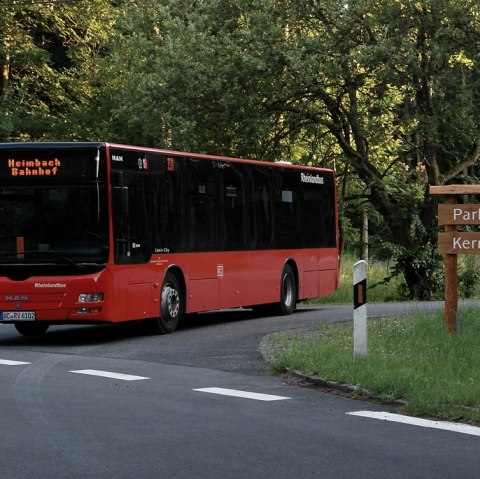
(53, 229)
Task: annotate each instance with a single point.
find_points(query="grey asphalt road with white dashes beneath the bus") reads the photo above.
(115, 402)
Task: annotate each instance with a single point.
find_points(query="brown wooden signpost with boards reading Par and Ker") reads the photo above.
(453, 242)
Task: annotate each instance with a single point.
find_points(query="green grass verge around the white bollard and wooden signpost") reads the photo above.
(410, 358)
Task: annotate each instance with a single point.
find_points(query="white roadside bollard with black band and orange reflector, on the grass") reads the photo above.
(360, 347)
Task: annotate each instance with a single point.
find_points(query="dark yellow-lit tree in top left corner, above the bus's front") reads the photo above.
(45, 49)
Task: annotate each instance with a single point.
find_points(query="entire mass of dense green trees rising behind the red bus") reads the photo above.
(385, 91)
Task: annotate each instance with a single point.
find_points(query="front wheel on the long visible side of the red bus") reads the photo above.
(172, 306)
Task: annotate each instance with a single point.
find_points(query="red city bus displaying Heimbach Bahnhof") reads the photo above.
(100, 232)
